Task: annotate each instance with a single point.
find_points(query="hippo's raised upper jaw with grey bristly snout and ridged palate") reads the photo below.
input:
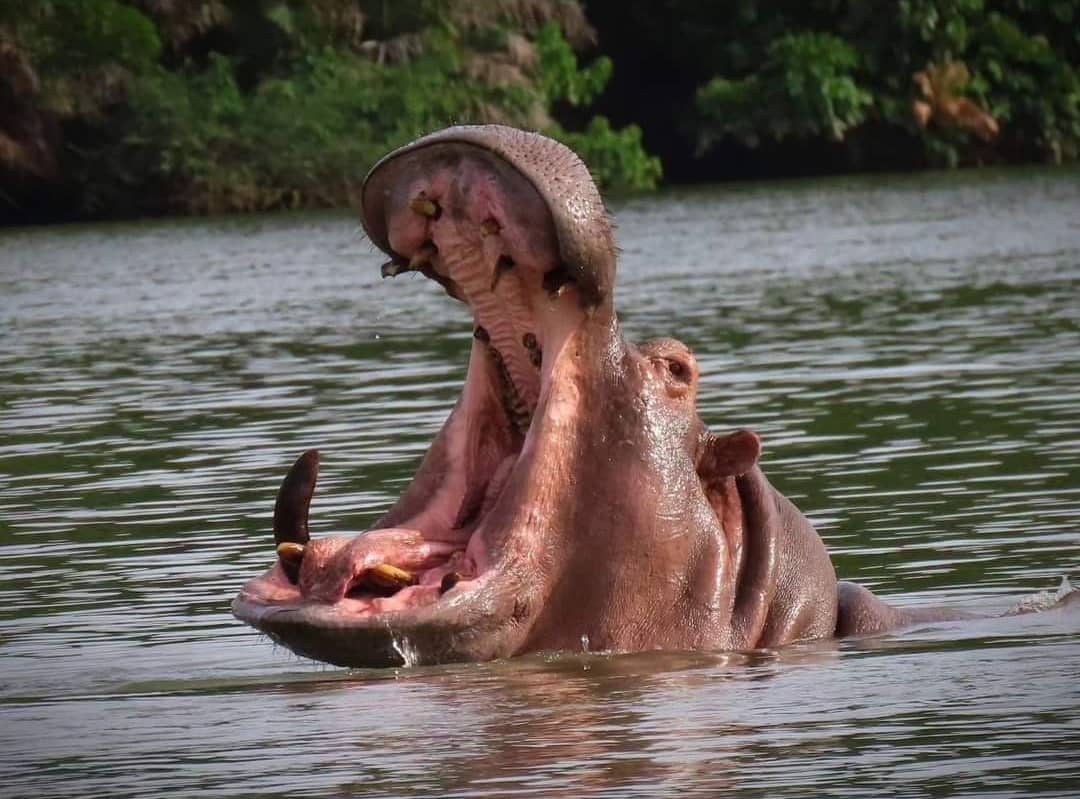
(509, 223)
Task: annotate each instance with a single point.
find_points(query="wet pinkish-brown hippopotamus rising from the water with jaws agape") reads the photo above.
(574, 497)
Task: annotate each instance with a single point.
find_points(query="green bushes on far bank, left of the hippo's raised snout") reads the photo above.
(301, 140)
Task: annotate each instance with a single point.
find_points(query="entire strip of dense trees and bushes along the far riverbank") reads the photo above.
(130, 107)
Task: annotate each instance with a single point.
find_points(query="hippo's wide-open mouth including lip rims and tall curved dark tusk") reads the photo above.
(463, 216)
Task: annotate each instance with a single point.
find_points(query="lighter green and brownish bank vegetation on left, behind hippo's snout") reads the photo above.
(161, 105)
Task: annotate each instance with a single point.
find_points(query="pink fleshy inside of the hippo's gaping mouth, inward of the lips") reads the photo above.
(487, 237)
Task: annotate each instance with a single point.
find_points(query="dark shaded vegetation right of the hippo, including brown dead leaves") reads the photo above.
(784, 87)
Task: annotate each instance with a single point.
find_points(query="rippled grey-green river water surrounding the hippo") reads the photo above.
(909, 348)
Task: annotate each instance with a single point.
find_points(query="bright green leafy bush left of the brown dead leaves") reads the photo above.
(806, 87)
